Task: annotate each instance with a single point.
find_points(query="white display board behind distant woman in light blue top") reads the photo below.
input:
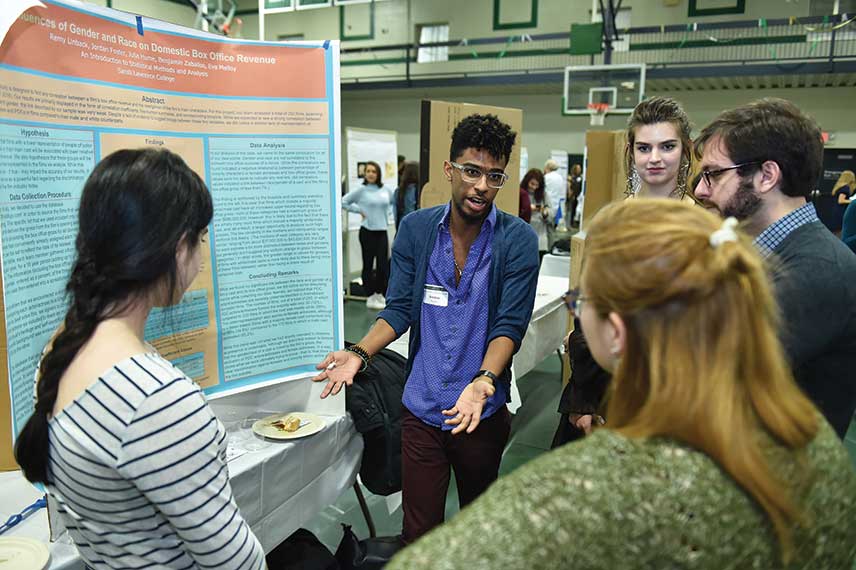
(366, 145)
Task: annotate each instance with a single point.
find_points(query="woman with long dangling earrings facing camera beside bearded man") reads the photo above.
(658, 158)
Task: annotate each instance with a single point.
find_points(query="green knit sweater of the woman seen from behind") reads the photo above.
(611, 502)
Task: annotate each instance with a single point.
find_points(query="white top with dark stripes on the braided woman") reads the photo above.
(137, 468)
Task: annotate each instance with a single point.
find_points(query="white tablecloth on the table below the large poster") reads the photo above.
(278, 488)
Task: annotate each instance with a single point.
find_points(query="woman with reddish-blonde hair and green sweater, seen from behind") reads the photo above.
(712, 456)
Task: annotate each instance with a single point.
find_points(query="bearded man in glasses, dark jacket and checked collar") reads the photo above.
(759, 164)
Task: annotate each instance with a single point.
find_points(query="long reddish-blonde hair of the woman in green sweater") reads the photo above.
(702, 361)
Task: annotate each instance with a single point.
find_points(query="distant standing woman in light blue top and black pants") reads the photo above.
(372, 201)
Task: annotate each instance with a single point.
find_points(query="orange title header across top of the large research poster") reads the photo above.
(66, 42)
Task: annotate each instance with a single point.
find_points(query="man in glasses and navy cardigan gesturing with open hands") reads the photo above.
(463, 281)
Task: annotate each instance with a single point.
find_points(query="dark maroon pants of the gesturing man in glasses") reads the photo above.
(428, 452)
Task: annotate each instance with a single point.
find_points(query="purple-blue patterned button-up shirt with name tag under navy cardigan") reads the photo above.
(453, 328)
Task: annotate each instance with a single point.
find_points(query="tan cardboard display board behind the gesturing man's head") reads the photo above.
(438, 120)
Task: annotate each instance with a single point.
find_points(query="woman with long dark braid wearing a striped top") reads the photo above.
(124, 441)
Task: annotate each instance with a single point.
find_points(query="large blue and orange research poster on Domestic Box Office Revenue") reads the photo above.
(258, 121)
